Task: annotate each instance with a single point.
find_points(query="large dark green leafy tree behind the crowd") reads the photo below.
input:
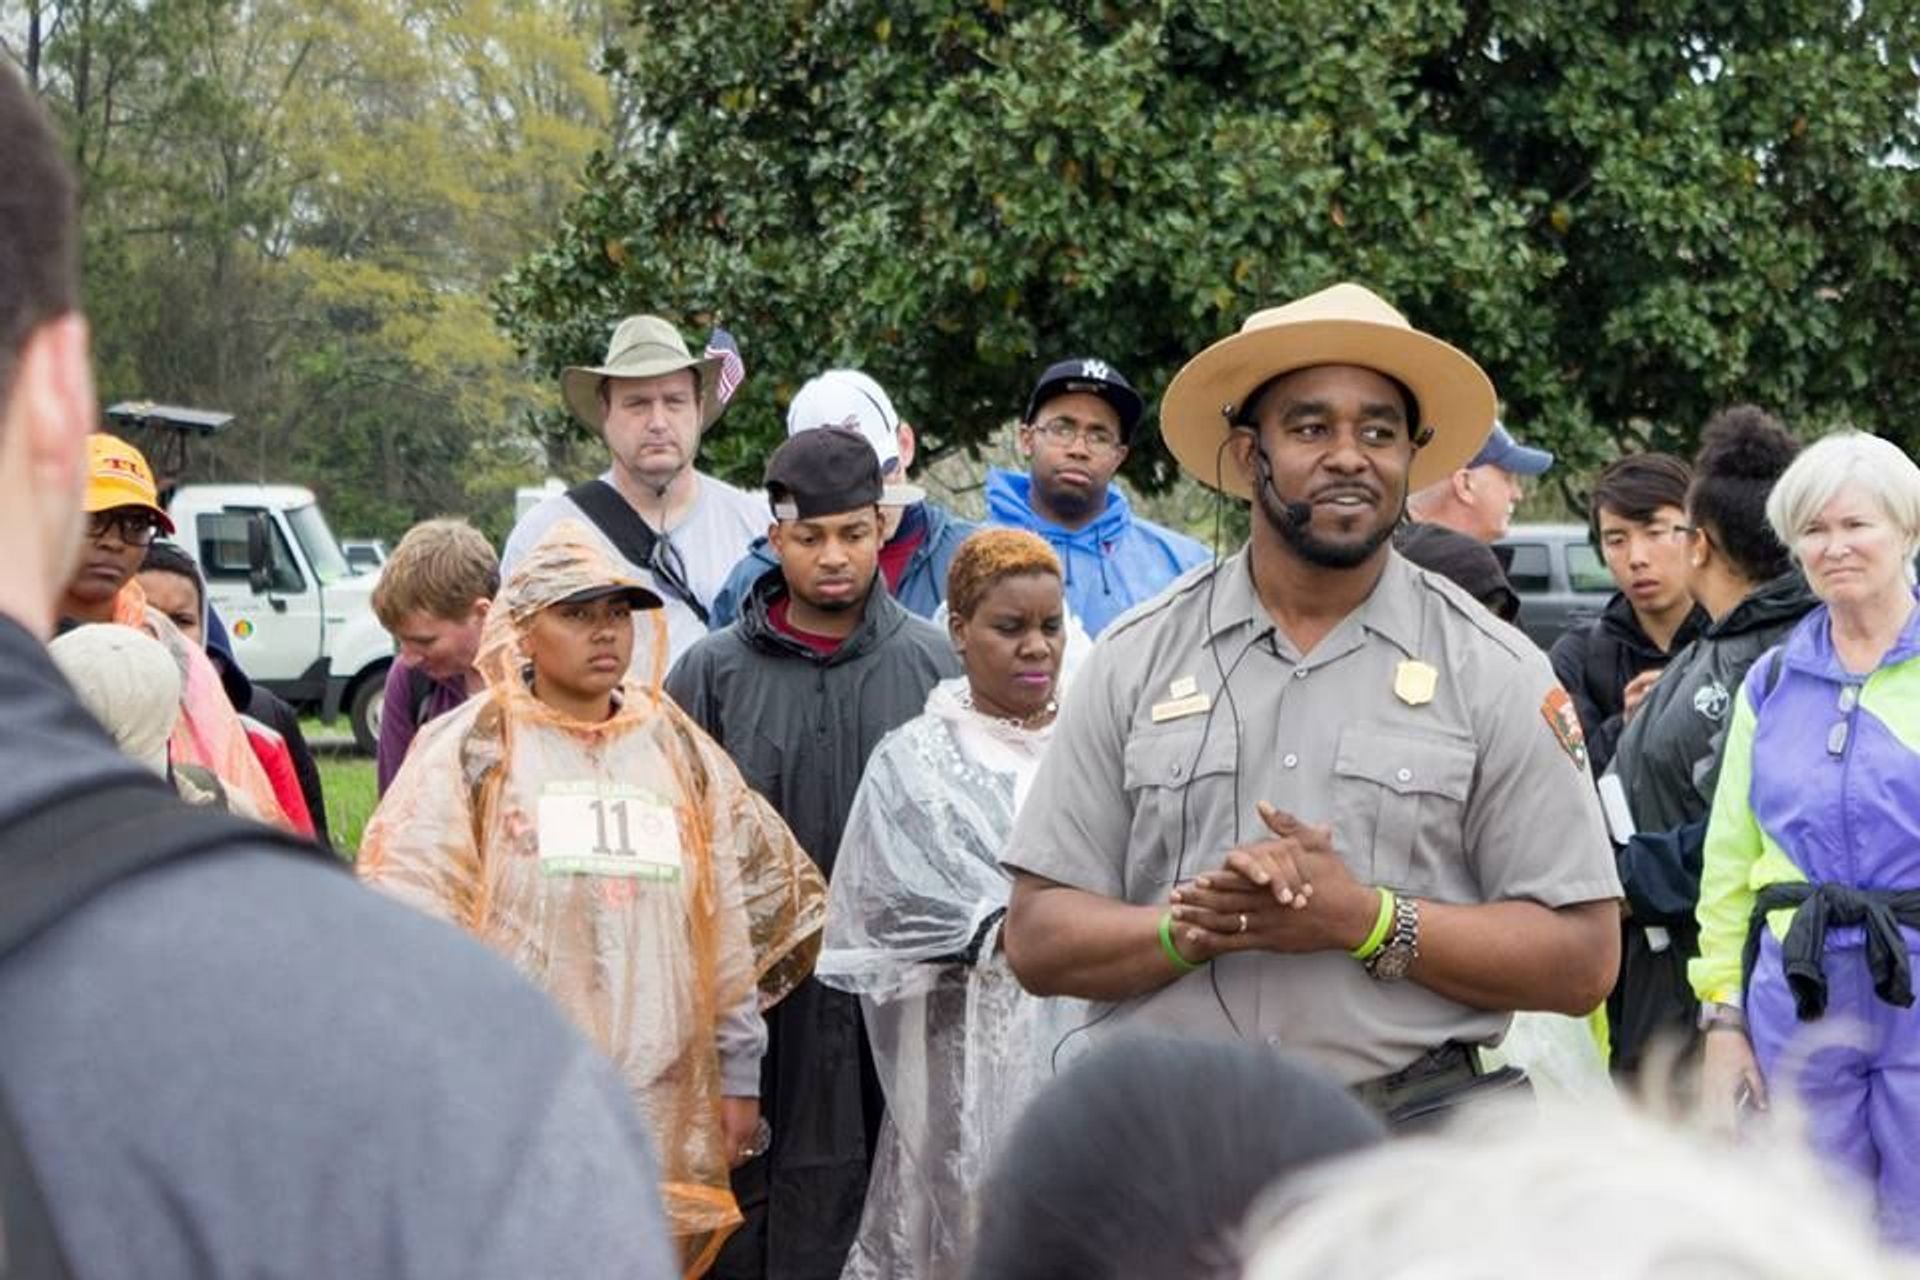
(1629, 214)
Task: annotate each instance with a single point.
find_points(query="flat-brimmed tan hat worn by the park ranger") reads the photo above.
(1341, 325)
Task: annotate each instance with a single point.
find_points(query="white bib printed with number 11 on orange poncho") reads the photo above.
(608, 830)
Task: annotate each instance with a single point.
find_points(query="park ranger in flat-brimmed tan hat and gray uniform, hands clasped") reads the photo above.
(1316, 795)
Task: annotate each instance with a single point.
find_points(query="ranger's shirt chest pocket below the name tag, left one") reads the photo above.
(1182, 790)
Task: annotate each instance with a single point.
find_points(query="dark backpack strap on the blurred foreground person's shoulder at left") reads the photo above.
(53, 863)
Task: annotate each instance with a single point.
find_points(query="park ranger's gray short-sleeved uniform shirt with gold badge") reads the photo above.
(1472, 795)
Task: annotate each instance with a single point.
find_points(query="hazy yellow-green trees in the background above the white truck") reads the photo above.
(295, 210)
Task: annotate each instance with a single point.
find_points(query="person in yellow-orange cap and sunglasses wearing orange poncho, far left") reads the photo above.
(124, 515)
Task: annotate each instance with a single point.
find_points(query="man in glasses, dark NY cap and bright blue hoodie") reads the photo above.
(1076, 435)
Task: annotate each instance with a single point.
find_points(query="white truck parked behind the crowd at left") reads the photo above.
(299, 615)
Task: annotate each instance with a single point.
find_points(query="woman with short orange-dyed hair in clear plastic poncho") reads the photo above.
(917, 905)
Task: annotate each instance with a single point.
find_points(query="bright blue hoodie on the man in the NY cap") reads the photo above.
(1113, 563)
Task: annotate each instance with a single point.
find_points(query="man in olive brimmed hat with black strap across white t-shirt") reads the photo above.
(652, 400)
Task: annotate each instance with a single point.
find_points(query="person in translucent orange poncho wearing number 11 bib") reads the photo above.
(577, 822)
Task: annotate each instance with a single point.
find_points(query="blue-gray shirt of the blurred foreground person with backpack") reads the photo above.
(249, 1066)
